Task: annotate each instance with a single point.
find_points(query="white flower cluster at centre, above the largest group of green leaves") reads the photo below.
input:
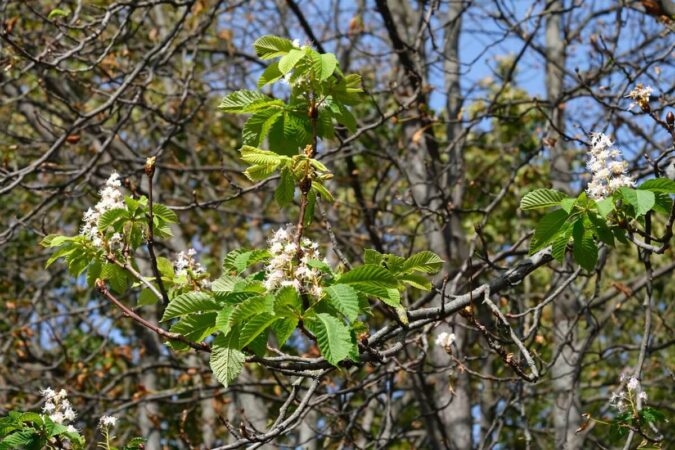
(285, 270)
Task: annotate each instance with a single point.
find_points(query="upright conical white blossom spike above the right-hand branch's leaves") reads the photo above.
(607, 166)
